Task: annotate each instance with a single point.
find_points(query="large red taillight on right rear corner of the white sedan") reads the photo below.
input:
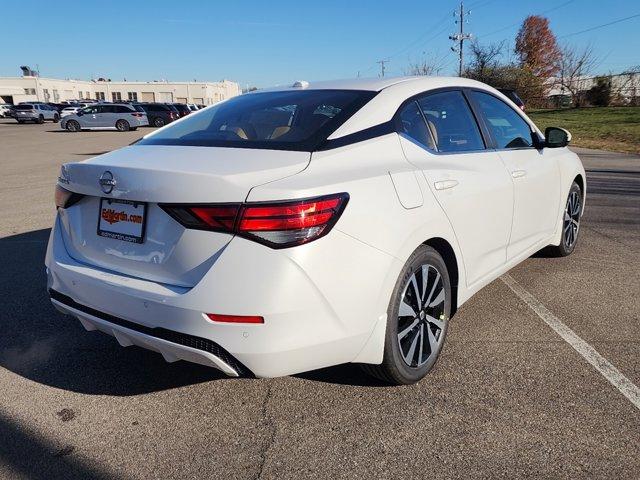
(275, 224)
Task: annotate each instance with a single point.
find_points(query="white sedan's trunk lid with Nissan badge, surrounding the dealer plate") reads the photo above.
(153, 175)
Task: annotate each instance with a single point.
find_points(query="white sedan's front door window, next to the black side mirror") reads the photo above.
(509, 129)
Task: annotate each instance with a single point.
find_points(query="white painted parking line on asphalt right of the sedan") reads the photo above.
(608, 371)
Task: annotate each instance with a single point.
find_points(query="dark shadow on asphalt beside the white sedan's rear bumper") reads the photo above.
(44, 346)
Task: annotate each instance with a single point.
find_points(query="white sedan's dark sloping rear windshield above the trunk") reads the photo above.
(291, 120)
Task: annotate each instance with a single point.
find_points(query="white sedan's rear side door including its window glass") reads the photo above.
(441, 136)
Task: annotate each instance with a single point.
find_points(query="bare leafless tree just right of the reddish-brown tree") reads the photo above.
(574, 66)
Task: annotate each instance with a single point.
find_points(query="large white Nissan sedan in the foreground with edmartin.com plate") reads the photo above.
(307, 226)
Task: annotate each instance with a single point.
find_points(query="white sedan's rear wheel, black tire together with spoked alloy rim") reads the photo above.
(395, 368)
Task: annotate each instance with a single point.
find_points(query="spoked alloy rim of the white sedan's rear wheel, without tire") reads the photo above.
(421, 316)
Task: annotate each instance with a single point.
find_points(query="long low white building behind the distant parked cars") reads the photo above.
(32, 88)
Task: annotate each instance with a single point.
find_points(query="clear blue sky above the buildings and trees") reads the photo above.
(261, 43)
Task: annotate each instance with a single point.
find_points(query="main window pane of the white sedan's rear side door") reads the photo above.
(451, 122)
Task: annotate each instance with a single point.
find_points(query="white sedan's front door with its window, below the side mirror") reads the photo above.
(535, 176)
